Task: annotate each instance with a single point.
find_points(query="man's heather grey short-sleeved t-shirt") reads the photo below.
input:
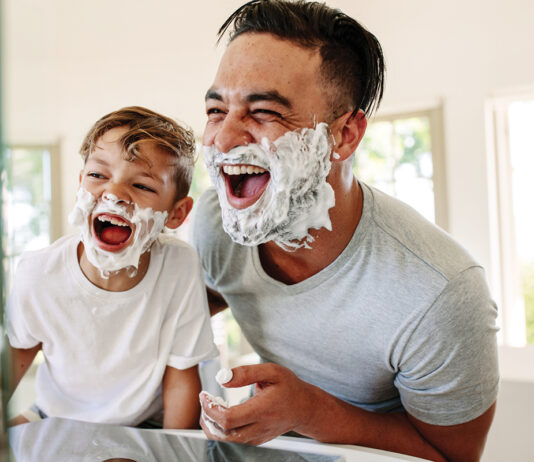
(401, 319)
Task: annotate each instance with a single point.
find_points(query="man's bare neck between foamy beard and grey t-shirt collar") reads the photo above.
(294, 267)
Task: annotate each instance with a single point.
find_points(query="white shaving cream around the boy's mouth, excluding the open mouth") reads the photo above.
(148, 225)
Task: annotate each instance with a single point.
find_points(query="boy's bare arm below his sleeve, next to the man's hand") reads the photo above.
(181, 407)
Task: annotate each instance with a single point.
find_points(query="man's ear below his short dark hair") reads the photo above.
(348, 131)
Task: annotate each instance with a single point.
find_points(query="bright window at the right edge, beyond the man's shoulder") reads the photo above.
(510, 121)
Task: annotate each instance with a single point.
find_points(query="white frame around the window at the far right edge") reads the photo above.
(514, 353)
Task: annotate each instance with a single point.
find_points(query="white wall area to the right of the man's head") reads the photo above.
(459, 52)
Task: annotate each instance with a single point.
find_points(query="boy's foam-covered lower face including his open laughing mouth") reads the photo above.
(115, 233)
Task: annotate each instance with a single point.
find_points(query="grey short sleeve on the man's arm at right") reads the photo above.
(448, 369)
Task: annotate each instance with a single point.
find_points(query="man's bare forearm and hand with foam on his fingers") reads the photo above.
(282, 402)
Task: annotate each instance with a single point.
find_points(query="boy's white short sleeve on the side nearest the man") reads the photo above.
(193, 339)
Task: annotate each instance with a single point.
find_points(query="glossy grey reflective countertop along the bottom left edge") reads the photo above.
(62, 440)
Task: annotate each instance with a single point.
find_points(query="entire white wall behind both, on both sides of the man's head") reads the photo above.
(68, 63)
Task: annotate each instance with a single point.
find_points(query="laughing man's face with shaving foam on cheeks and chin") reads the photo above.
(265, 92)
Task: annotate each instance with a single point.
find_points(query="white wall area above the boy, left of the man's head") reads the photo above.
(67, 63)
